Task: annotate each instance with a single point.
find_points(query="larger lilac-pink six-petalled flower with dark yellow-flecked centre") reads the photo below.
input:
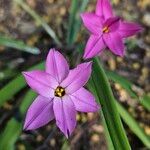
(61, 94)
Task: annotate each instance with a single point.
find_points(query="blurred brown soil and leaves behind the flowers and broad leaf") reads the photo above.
(28, 29)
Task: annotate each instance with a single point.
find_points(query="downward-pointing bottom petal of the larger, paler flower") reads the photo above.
(65, 114)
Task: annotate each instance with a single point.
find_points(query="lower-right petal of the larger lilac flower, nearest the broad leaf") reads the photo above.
(84, 101)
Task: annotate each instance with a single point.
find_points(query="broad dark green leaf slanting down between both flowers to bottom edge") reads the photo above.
(108, 106)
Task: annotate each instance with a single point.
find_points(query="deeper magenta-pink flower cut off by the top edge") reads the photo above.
(107, 30)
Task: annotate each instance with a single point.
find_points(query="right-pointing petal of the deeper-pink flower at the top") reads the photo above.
(127, 29)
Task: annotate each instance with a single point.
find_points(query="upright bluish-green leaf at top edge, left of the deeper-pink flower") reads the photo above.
(77, 6)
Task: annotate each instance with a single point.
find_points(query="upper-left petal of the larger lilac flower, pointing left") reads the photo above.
(41, 82)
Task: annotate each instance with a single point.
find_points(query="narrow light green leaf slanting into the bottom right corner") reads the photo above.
(133, 125)
